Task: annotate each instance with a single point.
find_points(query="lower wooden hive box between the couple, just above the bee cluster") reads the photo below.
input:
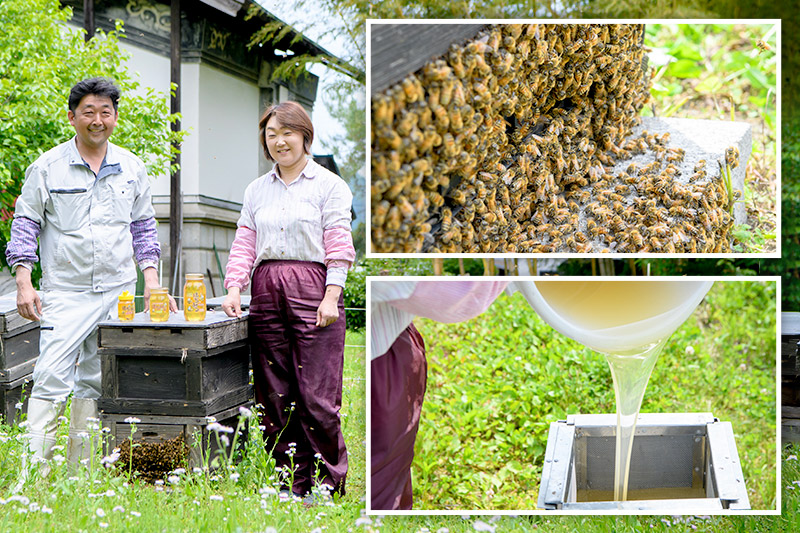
(160, 429)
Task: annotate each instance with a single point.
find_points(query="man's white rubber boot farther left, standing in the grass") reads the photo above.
(42, 427)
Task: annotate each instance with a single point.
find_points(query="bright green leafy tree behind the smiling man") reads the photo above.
(40, 60)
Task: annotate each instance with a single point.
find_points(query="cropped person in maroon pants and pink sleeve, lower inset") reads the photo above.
(399, 372)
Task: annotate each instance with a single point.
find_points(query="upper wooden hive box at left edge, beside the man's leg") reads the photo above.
(19, 341)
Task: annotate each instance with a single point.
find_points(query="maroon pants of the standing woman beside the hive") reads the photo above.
(297, 370)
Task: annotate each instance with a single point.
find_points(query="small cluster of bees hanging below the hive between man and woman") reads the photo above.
(153, 460)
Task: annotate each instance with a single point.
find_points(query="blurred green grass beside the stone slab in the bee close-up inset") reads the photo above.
(717, 71)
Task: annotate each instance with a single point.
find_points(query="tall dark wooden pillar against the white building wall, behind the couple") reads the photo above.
(175, 192)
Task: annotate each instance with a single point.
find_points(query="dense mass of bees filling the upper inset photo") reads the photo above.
(518, 141)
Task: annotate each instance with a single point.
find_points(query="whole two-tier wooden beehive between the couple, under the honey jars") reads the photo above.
(170, 380)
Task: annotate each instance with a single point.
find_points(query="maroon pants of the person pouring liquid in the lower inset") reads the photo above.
(398, 388)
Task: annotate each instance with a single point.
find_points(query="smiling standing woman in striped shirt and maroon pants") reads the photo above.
(295, 229)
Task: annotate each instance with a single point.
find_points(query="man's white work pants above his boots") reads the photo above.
(68, 360)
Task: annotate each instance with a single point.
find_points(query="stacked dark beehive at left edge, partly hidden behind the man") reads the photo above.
(19, 349)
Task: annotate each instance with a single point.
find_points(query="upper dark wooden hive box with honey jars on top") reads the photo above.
(174, 368)
